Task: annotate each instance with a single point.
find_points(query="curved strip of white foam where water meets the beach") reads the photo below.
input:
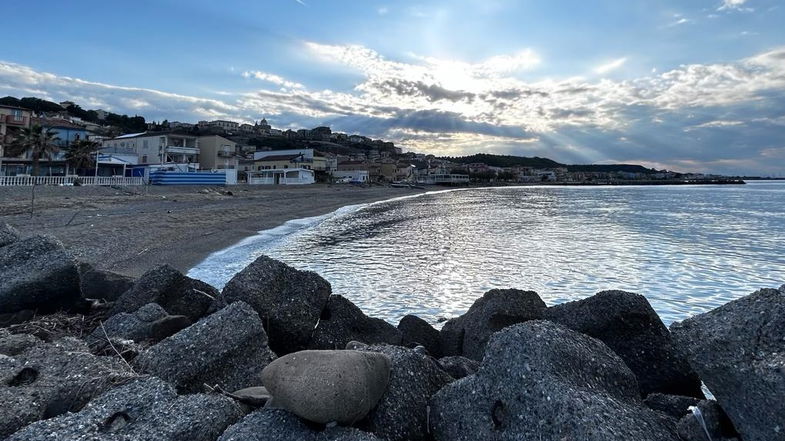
(219, 267)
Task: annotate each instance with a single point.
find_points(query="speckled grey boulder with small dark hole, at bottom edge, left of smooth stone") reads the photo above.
(145, 409)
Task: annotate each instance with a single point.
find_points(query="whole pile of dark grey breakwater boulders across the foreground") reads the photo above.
(87, 354)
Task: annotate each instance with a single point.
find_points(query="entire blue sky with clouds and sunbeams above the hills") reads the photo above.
(685, 85)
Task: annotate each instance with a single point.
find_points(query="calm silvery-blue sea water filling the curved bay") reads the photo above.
(688, 249)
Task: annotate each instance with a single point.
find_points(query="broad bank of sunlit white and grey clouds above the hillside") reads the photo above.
(720, 117)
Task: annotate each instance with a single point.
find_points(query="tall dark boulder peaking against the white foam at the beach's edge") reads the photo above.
(289, 301)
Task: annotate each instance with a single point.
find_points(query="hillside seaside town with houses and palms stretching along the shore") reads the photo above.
(44, 142)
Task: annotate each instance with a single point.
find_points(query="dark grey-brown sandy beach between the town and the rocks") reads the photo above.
(130, 230)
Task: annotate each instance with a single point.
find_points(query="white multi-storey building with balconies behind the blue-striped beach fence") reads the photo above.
(157, 147)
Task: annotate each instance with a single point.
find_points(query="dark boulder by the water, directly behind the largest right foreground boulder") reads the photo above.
(627, 323)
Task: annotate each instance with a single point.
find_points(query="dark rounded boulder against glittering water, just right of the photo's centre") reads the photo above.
(468, 334)
